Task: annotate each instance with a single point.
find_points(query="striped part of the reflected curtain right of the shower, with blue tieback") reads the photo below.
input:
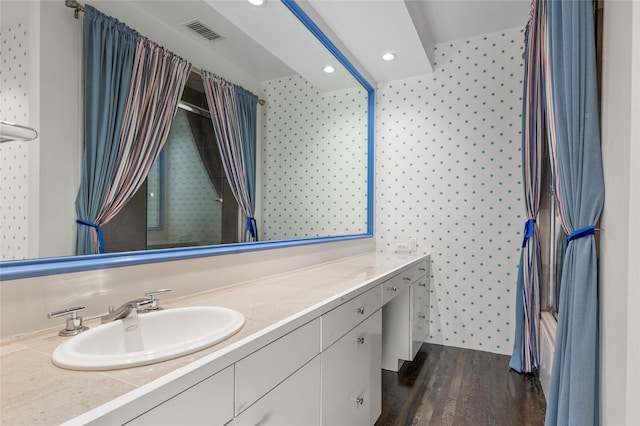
(223, 106)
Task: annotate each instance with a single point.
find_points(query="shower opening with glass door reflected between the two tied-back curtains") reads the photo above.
(185, 190)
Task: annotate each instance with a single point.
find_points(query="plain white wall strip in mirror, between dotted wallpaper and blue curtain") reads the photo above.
(60, 128)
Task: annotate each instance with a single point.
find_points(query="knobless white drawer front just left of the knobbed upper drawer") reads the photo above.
(261, 371)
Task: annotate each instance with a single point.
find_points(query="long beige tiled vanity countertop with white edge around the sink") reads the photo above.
(33, 391)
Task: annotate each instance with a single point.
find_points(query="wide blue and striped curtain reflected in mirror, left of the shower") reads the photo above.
(125, 129)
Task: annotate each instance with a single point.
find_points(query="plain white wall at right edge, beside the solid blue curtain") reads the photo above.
(620, 247)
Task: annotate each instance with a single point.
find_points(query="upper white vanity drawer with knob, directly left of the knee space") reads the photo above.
(337, 322)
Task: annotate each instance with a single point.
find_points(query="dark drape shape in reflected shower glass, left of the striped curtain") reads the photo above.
(205, 141)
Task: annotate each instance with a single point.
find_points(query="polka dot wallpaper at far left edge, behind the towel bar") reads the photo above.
(14, 158)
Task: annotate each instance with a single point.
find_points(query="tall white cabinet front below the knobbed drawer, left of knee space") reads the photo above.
(351, 376)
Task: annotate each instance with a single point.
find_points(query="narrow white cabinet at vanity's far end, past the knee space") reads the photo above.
(405, 319)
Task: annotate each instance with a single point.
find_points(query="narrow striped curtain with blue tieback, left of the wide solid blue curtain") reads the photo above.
(524, 358)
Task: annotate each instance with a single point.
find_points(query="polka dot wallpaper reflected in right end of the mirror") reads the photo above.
(314, 161)
